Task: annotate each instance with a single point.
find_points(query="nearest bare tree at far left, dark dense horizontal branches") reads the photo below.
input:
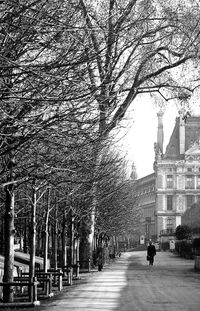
(38, 82)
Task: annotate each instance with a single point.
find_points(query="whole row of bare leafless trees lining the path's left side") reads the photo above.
(69, 72)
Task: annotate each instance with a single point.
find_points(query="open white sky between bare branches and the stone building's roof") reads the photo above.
(142, 133)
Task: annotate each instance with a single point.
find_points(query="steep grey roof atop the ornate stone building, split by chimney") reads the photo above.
(192, 134)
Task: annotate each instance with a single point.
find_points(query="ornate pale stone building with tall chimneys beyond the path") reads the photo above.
(176, 178)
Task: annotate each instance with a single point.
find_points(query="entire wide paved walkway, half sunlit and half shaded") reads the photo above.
(129, 285)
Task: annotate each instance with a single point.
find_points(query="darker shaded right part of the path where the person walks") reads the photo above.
(172, 285)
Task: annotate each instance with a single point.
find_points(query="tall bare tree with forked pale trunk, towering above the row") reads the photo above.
(132, 47)
